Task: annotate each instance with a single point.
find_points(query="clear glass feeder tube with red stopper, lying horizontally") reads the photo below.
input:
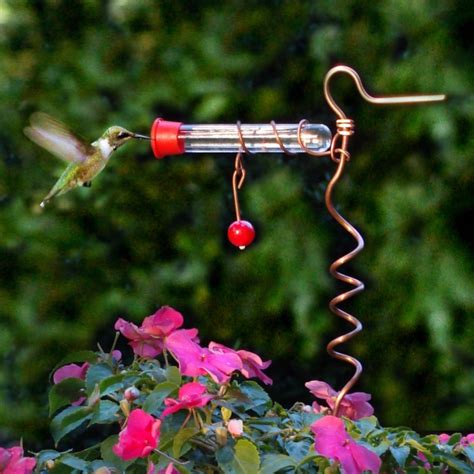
(171, 138)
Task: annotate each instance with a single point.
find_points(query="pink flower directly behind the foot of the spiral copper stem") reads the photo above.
(353, 406)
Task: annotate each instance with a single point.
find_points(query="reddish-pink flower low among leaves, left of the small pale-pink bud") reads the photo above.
(140, 436)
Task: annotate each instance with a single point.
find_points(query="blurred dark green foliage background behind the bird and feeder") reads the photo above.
(150, 233)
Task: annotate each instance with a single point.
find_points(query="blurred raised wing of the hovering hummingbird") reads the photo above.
(55, 137)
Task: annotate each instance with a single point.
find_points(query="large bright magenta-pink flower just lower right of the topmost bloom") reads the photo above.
(195, 360)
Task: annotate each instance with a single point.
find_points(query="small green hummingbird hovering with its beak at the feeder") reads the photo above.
(86, 161)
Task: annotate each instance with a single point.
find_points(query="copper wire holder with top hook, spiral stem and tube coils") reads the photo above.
(340, 155)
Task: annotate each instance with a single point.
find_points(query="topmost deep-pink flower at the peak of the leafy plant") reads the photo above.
(148, 339)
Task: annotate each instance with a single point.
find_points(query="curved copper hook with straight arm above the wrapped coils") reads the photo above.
(386, 100)
